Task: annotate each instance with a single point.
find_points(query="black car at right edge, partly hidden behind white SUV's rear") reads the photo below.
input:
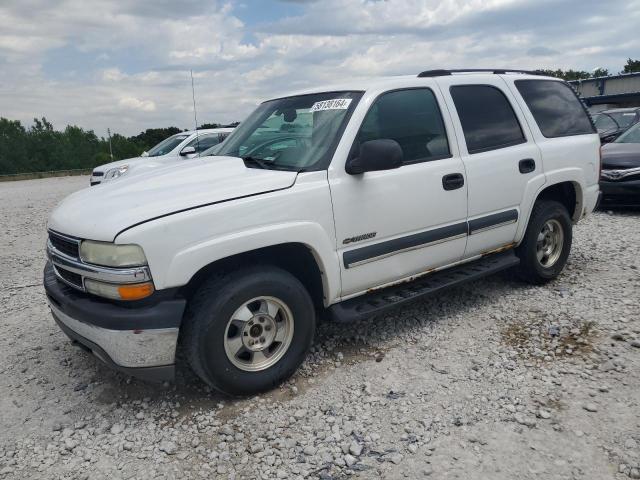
(620, 178)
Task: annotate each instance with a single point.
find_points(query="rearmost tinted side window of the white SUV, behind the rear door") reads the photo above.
(555, 107)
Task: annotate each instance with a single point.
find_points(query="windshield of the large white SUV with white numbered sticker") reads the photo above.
(293, 133)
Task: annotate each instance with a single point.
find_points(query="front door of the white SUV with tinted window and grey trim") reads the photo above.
(396, 223)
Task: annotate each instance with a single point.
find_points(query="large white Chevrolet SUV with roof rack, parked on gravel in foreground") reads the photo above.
(345, 200)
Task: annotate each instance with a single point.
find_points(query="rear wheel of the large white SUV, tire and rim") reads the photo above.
(547, 242)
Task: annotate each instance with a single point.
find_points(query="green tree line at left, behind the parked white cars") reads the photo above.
(41, 148)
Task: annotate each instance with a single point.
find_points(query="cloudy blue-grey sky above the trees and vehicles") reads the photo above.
(125, 65)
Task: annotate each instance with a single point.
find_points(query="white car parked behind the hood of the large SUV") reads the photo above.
(181, 146)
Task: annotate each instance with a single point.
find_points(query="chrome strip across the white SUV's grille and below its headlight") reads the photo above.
(103, 274)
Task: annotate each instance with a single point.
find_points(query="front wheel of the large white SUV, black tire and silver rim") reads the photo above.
(247, 331)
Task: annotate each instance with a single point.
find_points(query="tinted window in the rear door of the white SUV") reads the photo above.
(487, 118)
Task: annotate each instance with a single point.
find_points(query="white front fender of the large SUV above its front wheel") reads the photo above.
(179, 245)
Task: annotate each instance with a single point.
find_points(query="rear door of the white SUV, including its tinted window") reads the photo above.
(500, 157)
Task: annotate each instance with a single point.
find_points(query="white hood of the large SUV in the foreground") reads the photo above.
(103, 211)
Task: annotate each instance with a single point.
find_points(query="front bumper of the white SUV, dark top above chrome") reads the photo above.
(139, 338)
